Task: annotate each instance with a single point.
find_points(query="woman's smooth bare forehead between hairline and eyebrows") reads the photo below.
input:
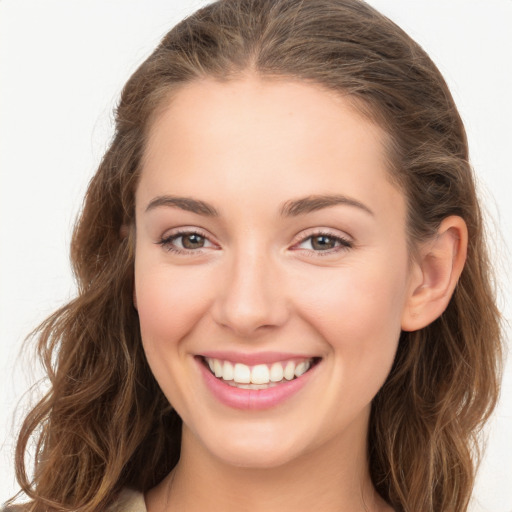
(278, 138)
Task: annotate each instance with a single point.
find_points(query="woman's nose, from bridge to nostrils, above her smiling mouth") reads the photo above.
(251, 295)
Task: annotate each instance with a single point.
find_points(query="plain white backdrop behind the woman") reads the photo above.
(62, 66)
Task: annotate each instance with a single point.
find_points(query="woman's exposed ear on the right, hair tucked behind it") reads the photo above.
(436, 271)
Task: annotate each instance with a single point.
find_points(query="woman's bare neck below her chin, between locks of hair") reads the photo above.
(331, 478)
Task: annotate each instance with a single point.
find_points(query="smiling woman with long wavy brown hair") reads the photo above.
(282, 242)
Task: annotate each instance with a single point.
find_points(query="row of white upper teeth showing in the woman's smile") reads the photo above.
(259, 374)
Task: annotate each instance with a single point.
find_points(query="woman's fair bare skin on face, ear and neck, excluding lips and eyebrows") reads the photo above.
(261, 283)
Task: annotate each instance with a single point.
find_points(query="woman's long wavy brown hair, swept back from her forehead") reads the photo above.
(105, 424)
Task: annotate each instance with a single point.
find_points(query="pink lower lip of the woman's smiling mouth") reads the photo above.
(252, 399)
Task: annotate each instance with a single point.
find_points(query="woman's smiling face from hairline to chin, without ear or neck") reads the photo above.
(271, 271)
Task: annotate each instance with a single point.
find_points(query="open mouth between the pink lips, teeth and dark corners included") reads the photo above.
(259, 376)
